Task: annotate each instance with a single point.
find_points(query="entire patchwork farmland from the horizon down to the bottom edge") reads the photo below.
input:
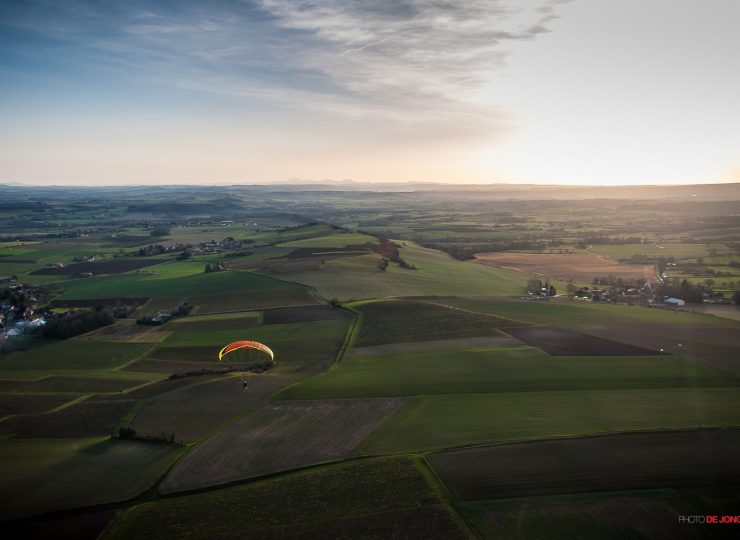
(416, 392)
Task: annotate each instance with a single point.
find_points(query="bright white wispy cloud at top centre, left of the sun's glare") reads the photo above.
(409, 50)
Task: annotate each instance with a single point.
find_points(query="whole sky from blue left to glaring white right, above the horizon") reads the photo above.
(458, 91)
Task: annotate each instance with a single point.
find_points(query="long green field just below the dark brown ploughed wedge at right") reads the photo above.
(507, 368)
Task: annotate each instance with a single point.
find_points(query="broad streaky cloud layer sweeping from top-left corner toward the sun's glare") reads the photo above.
(410, 61)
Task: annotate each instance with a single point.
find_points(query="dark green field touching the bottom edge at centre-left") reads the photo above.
(377, 498)
